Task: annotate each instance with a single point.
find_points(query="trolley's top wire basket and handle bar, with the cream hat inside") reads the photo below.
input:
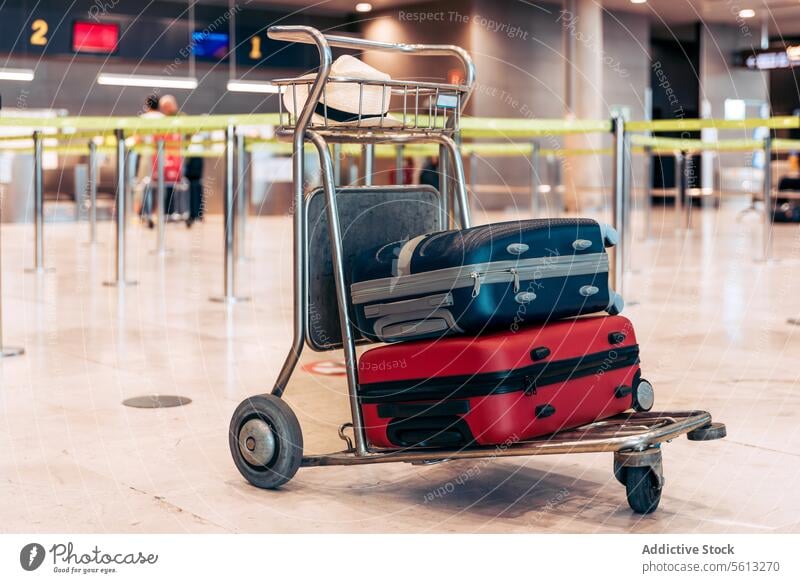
(349, 96)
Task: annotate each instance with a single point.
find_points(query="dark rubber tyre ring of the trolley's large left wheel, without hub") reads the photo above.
(288, 440)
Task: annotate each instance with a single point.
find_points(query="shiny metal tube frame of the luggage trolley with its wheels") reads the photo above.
(265, 438)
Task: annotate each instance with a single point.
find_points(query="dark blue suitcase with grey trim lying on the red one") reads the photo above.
(503, 275)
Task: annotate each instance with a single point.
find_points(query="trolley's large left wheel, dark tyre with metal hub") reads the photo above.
(266, 441)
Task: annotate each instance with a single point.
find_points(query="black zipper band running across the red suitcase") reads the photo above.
(528, 379)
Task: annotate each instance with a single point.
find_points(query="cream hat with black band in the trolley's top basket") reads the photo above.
(342, 99)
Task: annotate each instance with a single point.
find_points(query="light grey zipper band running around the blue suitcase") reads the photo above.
(474, 276)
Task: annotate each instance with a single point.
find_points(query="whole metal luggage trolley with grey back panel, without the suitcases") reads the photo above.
(265, 438)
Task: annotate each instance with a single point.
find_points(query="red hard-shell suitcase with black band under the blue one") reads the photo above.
(502, 387)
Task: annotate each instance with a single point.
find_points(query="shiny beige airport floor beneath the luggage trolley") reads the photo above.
(711, 322)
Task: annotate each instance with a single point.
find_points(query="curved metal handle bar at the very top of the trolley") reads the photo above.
(309, 35)
